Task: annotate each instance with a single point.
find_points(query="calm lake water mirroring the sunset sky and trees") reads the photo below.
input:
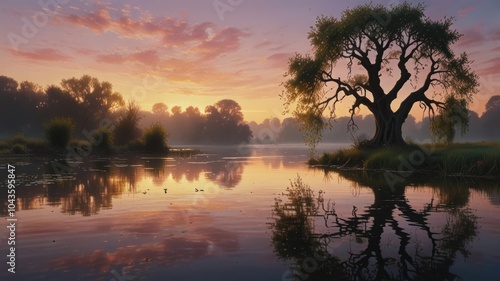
(257, 213)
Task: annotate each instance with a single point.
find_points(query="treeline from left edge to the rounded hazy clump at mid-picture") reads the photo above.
(88, 102)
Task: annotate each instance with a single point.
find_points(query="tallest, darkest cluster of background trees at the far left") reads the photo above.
(26, 106)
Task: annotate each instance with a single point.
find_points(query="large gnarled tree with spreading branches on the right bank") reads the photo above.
(379, 42)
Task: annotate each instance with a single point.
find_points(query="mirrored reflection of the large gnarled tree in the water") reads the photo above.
(308, 230)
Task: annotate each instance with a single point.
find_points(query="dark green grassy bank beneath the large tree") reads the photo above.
(462, 159)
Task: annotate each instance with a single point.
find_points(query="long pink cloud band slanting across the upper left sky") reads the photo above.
(202, 38)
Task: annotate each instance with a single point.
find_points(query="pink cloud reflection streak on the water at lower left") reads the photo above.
(202, 242)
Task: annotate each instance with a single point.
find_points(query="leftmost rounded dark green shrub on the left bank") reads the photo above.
(58, 131)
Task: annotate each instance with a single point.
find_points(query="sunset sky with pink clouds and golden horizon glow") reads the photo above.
(199, 52)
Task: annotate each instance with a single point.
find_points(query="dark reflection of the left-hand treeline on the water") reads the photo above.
(92, 185)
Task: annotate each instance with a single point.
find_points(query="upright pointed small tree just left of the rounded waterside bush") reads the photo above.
(126, 129)
